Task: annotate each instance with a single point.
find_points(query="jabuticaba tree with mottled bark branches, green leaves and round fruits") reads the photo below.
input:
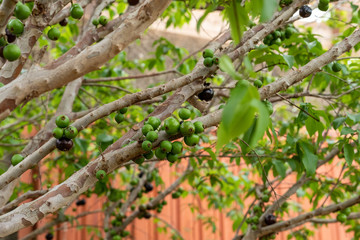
(65, 73)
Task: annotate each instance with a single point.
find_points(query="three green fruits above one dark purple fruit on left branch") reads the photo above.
(64, 133)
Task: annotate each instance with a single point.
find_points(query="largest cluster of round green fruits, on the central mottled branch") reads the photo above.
(169, 150)
